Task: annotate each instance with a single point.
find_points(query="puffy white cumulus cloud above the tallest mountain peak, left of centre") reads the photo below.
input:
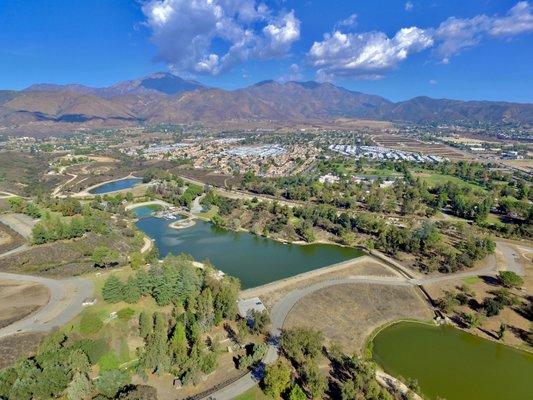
(212, 36)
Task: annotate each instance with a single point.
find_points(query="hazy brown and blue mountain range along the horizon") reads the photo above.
(166, 98)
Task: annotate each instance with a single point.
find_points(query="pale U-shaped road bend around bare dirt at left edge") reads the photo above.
(66, 298)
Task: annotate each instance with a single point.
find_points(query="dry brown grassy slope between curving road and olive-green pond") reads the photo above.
(348, 313)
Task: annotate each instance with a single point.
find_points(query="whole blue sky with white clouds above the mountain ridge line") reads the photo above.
(463, 49)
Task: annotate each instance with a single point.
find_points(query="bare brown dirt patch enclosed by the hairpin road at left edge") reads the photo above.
(20, 299)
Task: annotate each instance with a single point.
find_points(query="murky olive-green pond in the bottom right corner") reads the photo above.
(453, 364)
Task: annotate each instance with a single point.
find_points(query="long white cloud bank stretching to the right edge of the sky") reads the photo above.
(371, 54)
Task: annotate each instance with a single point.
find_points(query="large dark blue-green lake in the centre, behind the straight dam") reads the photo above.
(254, 260)
